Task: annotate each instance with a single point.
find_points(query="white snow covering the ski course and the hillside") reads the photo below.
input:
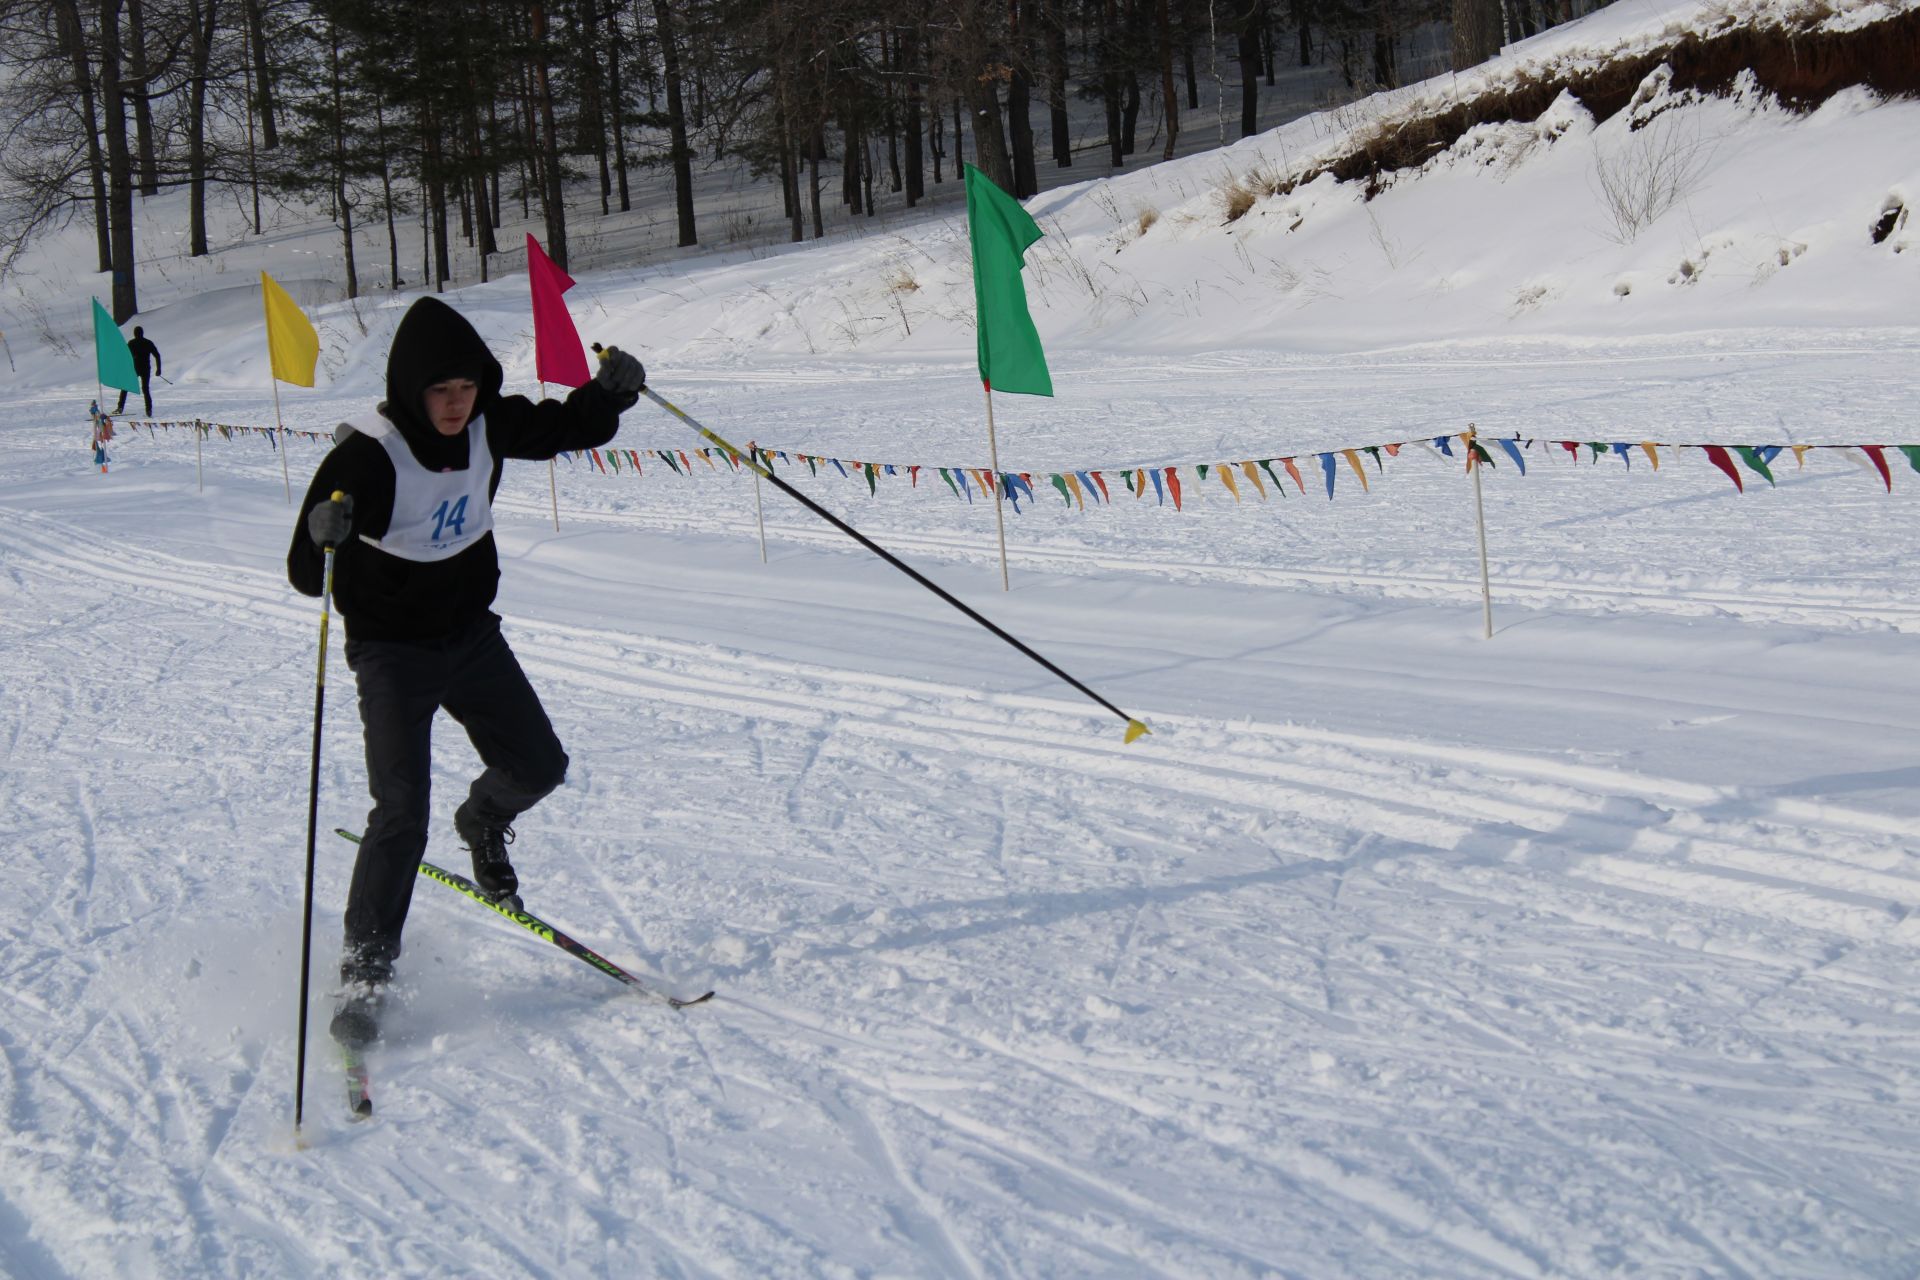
(1587, 951)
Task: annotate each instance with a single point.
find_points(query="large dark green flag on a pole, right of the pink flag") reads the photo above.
(1011, 356)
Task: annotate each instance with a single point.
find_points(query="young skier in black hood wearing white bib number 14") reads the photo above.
(414, 579)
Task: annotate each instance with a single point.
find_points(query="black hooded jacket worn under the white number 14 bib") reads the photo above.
(383, 596)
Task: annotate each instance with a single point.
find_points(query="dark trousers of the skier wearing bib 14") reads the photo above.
(479, 682)
